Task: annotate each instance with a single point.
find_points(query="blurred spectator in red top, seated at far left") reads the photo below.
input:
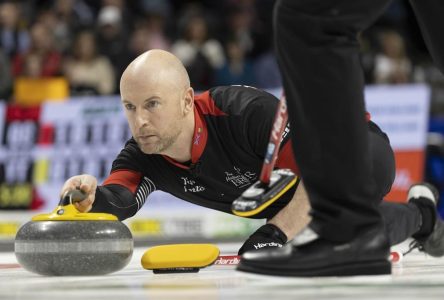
(40, 56)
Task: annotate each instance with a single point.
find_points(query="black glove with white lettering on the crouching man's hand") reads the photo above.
(267, 236)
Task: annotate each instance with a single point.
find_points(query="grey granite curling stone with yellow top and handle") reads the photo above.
(67, 242)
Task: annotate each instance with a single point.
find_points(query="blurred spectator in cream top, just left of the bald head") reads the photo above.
(86, 71)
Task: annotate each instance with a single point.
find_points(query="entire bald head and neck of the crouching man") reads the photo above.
(159, 104)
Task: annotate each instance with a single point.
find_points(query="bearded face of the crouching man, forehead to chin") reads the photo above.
(154, 115)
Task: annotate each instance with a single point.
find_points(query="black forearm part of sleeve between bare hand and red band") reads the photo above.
(115, 199)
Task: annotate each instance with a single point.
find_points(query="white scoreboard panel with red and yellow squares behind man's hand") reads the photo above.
(76, 137)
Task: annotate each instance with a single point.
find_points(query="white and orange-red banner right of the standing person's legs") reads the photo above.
(403, 113)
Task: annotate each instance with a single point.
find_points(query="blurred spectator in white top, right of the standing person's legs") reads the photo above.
(392, 66)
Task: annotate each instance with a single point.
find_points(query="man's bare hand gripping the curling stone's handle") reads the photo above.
(87, 184)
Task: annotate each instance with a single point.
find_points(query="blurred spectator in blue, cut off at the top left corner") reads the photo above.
(14, 38)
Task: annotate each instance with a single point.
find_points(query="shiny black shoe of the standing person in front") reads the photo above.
(367, 254)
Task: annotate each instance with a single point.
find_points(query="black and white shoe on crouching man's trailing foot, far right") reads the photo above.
(425, 196)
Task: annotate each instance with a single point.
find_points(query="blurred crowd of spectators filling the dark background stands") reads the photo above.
(90, 42)
